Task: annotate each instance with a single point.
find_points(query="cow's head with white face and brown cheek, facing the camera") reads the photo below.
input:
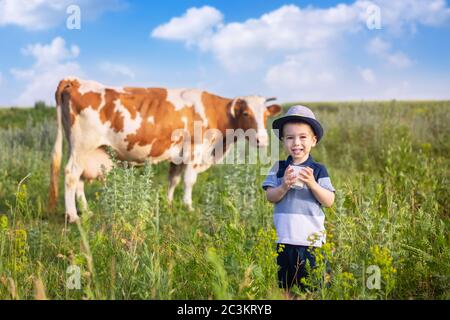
(251, 112)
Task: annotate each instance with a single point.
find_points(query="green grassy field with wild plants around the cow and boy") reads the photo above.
(389, 162)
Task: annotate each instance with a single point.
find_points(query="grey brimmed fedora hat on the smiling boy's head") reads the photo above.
(298, 113)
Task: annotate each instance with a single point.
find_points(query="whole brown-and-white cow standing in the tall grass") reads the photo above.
(138, 123)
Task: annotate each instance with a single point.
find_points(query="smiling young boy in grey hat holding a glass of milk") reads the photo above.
(298, 198)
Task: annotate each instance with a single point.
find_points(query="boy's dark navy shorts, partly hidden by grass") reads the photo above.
(292, 262)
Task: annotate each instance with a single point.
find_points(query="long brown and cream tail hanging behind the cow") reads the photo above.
(57, 148)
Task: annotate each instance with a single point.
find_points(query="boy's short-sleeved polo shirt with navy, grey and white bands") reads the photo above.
(298, 216)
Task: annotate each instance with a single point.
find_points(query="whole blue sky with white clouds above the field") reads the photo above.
(292, 50)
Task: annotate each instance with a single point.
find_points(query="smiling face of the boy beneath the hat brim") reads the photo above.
(298, 139)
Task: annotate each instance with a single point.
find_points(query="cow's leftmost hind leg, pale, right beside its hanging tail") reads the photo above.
(72, 177)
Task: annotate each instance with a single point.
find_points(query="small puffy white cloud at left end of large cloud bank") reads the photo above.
(195, 23)
